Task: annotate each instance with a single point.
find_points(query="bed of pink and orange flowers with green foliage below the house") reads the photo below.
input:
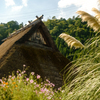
(26, 88)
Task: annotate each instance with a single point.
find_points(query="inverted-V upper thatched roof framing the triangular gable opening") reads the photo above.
(25, 33)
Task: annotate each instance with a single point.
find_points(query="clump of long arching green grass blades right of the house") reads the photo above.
(83, 77)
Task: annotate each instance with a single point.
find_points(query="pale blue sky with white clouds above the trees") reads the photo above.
(25, 10)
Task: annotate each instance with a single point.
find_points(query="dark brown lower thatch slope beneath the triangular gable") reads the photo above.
(42, 61)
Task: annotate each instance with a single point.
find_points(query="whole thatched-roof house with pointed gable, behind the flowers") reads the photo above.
(33, 46)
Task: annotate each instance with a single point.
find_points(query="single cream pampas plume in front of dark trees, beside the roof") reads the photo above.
(71, 41)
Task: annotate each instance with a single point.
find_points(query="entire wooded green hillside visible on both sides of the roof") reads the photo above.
(72, 26)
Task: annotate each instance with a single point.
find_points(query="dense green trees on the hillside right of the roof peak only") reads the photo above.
(72, 26)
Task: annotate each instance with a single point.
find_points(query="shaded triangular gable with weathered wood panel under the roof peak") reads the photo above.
(38, 34)
